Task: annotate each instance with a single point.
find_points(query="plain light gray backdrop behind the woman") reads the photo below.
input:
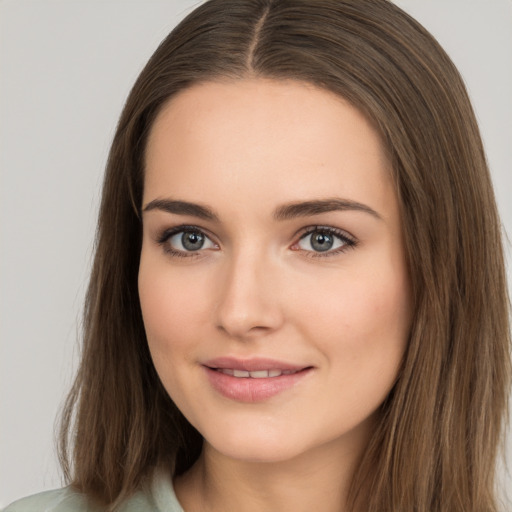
(65, 70)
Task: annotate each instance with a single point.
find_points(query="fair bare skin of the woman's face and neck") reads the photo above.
(258, 287)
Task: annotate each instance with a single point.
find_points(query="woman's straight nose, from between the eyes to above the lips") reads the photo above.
(249, 304)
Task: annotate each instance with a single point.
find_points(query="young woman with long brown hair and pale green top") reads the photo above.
(298, 299)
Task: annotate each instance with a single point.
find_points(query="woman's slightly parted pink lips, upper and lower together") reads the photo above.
(251, 390)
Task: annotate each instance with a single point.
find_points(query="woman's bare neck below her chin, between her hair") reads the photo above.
(318, 479)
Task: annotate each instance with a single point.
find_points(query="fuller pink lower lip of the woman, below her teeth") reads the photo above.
(246, 389)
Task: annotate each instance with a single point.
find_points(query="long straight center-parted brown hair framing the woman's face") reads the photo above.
(436, 443)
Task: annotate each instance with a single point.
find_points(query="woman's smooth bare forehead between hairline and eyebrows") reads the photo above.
(264, 141)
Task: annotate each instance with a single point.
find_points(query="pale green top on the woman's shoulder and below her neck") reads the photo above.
(159, 498)
